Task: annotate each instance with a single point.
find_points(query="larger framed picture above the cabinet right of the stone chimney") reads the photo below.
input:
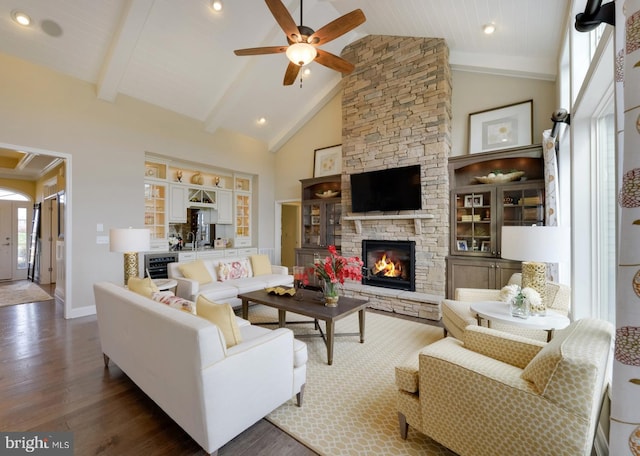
(501, 128)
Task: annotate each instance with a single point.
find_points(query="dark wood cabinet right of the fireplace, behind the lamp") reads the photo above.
(480, 207)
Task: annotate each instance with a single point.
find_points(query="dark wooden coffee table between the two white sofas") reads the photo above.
(308, 303)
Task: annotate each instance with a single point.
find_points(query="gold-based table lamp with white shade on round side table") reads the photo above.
(534, 246)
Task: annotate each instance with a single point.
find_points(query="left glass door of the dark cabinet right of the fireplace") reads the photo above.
(474, 222)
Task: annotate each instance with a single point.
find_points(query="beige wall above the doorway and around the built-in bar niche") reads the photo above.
(107, 141)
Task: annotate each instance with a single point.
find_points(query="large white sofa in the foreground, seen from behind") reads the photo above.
(181, 362)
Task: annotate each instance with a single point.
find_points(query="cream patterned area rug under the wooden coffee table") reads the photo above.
(349, 407)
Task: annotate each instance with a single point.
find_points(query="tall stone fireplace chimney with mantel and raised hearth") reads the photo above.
(396, 109)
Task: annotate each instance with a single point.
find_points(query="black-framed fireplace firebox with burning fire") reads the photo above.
(389, 264)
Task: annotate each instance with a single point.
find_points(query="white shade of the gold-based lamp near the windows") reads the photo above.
(543, 244)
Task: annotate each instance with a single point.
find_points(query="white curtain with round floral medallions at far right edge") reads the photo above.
(624, 438)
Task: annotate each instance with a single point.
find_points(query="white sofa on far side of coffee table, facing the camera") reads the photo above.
(228, 290)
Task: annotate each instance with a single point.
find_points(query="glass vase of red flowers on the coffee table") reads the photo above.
(332, 271)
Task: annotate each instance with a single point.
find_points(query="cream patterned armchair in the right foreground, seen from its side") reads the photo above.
(498, 394)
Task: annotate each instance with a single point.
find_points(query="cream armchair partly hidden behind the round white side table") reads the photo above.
(457, 314)
